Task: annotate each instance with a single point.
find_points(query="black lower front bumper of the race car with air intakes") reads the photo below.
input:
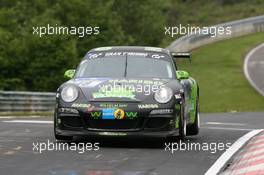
(145, 124)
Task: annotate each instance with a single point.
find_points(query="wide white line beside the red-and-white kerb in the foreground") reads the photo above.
(221, 161)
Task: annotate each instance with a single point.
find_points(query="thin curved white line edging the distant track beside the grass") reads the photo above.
(248, 56)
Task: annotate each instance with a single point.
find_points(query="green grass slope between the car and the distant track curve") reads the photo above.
(218, 68)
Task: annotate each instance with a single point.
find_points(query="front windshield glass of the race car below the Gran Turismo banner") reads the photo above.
(133, 67)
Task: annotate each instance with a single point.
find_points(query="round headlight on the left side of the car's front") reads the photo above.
(69, 93)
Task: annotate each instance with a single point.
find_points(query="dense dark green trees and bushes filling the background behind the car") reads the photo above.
(30, 62)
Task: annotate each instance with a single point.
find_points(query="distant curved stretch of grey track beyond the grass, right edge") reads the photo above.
(254, 68)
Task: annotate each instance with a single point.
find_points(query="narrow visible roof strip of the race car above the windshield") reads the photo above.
(131, 49)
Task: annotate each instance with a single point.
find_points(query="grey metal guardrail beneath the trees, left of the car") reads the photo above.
(18, 101)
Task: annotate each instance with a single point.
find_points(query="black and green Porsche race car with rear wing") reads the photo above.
(127, 91)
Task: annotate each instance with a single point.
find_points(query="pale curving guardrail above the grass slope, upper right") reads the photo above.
(238, 28)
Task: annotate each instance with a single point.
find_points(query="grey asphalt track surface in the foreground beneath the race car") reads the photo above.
(117, 155)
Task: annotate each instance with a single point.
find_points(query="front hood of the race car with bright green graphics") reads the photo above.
(121, 89)
